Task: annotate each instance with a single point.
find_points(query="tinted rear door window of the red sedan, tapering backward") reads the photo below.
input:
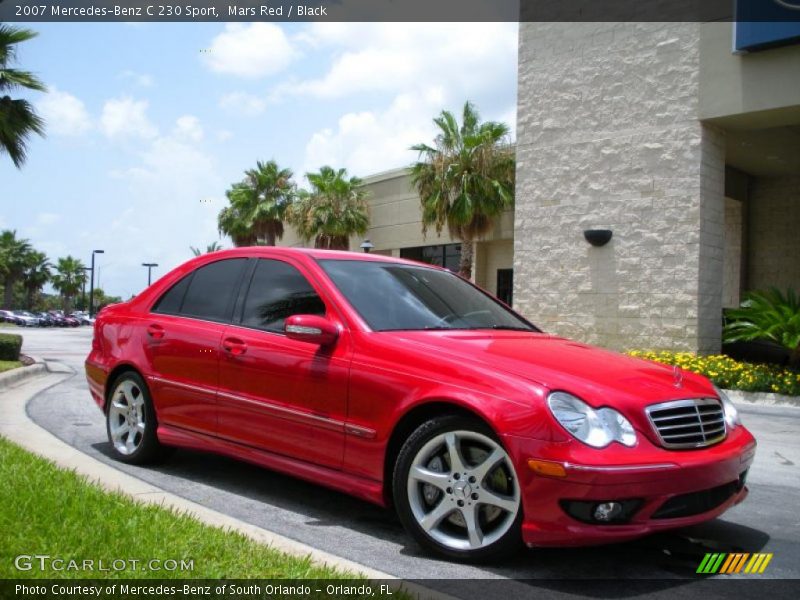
(205, 294)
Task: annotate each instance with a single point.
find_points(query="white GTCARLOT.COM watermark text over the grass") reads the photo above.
(45, 562)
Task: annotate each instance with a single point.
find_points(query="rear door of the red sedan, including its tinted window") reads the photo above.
(183, 334)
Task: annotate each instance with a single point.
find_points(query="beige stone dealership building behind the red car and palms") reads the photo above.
(679, 138)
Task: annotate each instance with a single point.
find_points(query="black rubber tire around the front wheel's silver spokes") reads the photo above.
(509, 530)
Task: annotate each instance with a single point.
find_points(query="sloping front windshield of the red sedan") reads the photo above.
(394, 296)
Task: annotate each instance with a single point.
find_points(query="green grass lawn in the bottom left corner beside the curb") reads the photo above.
(50, 511)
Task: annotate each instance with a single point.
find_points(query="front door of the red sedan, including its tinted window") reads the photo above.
(277, 394)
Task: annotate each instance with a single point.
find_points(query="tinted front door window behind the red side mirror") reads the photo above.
(278, 290)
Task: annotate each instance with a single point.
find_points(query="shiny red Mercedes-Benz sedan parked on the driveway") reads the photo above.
(406, 385)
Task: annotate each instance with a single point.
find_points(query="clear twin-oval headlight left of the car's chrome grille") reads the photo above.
(595, 427)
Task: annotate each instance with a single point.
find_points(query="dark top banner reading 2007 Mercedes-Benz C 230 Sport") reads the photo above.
(400, 10)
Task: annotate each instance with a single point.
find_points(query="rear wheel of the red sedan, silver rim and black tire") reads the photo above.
(144, 447)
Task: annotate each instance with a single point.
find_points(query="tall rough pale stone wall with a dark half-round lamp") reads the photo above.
(608, 137)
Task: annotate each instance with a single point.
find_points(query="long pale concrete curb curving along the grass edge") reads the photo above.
(16, 426)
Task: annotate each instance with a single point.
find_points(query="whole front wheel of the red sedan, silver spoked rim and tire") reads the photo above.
(456, 490)
